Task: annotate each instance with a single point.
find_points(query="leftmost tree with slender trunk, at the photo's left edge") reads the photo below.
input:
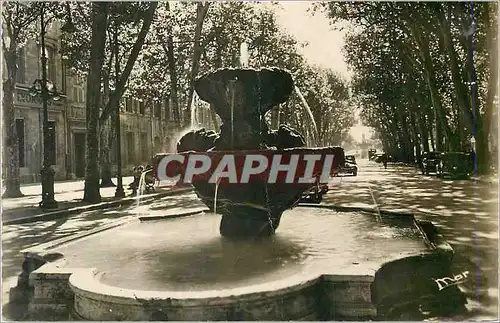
(17, 20)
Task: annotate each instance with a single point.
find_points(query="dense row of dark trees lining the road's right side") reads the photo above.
(425, 74)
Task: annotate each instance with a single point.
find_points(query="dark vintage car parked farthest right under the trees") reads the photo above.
(455, 165)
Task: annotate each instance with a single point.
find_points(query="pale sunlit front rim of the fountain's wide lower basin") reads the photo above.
(85, 281)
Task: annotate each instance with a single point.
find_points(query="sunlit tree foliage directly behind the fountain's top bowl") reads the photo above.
(167, 61)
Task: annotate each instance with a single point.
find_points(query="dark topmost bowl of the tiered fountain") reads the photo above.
(248, 91)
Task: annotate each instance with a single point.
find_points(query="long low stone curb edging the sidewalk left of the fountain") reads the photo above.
(92, 207)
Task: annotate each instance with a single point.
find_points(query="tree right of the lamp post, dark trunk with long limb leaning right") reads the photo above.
(125, 20)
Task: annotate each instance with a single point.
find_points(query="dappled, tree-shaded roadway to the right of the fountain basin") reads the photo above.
(465, 211)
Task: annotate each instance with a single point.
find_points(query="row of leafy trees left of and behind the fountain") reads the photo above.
(154, 51)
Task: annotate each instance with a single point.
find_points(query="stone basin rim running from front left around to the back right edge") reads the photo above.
(86, 281)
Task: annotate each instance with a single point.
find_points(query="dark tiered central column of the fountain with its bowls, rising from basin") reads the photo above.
(241, 97)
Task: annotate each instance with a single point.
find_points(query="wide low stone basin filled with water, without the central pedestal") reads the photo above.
(323, 263)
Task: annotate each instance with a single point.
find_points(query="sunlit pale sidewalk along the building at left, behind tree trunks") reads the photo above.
(69, 197)
